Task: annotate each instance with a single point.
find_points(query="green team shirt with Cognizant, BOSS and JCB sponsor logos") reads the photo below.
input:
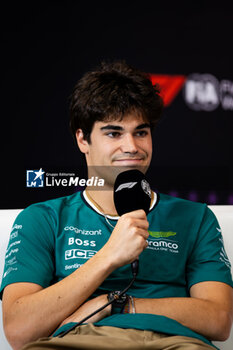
(50, 240)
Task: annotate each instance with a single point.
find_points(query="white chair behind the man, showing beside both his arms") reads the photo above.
(223, 213)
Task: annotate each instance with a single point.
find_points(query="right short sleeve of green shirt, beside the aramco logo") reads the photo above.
(208, 260)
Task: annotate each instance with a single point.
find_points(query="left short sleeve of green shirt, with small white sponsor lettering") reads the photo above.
(30, 252)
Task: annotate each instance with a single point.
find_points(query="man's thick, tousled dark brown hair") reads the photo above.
(109, 93)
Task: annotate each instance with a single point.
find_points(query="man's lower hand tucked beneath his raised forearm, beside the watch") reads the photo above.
(89, 307)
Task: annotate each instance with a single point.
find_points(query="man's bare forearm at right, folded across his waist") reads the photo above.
(202, 316)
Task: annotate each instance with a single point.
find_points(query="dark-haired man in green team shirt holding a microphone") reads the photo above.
(66, 255)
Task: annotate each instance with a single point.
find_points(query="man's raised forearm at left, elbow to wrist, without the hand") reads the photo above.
(38, 314)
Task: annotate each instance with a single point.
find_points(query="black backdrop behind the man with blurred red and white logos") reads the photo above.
(45, 49)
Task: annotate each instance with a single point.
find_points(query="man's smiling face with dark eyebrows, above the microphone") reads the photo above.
(117, 146)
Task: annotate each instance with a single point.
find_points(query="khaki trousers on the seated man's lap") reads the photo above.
(90, 337)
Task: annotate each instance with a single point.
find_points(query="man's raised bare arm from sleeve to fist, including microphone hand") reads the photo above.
(31, 312)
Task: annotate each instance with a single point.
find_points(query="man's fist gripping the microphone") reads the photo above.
(128, 239)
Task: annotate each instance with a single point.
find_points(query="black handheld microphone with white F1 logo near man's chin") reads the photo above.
(132, 192)
